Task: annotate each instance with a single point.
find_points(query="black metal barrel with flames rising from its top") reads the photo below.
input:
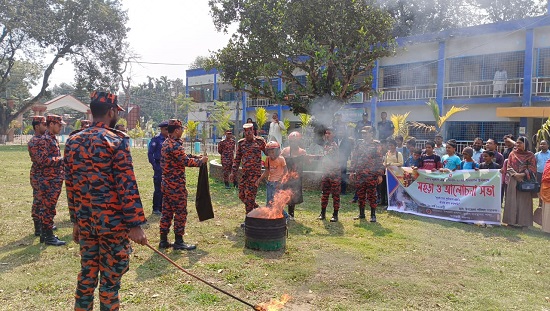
(265, 234)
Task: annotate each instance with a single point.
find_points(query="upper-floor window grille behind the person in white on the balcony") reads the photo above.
(483, 67)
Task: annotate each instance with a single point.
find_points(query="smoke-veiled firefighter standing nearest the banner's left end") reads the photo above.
(367, 171)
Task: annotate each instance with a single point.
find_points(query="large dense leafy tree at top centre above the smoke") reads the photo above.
(333, 42)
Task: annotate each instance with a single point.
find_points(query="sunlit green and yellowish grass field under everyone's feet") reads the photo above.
(401, 263)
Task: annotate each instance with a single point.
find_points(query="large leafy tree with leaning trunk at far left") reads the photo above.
(89, 33)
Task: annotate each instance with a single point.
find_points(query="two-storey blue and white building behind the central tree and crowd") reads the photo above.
(454, 67)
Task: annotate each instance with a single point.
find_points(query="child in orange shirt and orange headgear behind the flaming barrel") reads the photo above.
(275, 170)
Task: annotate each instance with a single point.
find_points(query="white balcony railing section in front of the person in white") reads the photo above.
(514, 87)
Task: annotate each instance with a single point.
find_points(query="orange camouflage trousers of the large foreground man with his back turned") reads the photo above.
(108, 255)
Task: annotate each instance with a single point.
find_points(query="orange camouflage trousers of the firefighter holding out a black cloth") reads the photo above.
(174, 206)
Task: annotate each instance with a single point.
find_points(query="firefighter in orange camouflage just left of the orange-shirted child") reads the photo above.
(249, 153)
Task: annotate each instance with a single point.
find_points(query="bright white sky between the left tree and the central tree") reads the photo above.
(162, 31)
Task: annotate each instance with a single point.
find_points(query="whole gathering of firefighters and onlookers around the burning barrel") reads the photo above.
(106, 209)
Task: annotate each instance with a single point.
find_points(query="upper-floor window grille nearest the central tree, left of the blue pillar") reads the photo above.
(409, 74)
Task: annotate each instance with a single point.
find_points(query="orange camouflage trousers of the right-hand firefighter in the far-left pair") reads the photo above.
(50, 189)
